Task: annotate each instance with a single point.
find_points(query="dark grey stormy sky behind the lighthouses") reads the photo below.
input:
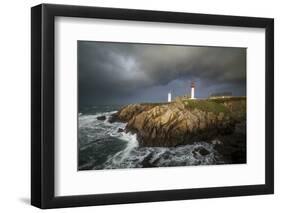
(122, 73)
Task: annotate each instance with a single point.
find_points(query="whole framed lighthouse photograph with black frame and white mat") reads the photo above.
(139, 106)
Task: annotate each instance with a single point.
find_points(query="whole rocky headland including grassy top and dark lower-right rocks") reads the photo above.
(221, 122)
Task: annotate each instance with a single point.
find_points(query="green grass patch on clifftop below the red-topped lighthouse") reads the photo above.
(206, 105)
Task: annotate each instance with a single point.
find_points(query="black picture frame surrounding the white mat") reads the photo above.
(43, 110)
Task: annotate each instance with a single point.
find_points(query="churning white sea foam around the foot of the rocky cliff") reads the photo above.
(134, 156)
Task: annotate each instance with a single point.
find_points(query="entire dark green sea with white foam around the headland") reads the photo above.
(101, 146)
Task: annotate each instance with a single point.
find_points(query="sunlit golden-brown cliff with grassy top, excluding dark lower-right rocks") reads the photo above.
(177, 123)
